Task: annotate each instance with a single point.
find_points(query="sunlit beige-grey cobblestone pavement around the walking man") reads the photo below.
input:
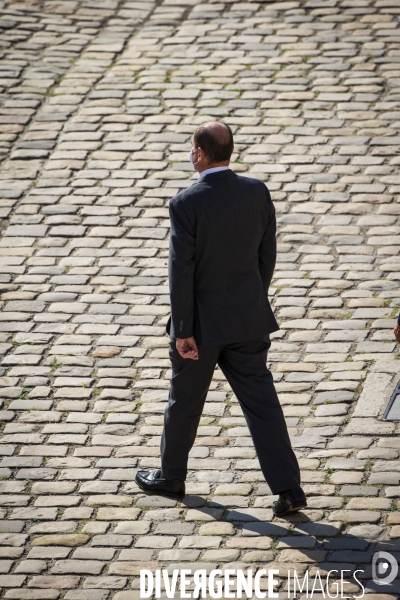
(98, 100)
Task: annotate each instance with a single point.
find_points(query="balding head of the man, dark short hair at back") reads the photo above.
(216, 140)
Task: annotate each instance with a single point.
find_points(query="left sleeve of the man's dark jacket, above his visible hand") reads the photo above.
(181, 271)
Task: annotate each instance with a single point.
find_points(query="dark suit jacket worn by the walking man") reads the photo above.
(221, 260)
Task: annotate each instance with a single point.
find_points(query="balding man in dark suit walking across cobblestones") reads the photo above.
(221, 262)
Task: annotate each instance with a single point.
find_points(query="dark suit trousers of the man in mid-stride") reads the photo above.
(244, 366)
